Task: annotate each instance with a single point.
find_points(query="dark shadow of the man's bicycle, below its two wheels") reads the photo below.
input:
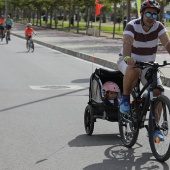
(120, 157)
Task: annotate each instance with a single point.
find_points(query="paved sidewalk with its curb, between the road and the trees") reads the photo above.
(104, 50)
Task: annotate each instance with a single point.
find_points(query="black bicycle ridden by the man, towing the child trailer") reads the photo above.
(129, 125)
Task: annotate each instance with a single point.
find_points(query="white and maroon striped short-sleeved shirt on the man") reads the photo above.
(145, 44)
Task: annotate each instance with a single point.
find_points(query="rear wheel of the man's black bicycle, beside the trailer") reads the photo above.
(128, 126)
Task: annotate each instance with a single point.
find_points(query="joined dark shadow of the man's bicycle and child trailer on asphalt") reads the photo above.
(118, 156)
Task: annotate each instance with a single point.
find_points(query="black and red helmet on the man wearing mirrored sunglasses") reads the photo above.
(150, 4)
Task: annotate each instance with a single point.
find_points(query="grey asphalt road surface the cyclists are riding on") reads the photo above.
(43, 97)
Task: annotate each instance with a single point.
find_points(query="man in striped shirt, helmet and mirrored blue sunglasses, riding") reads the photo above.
(140, 42)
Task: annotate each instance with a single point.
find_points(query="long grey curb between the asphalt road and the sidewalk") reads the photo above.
(104, 63)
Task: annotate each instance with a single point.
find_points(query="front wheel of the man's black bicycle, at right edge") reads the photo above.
(160, 122)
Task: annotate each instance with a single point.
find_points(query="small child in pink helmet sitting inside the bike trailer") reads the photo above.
(111, 93)
